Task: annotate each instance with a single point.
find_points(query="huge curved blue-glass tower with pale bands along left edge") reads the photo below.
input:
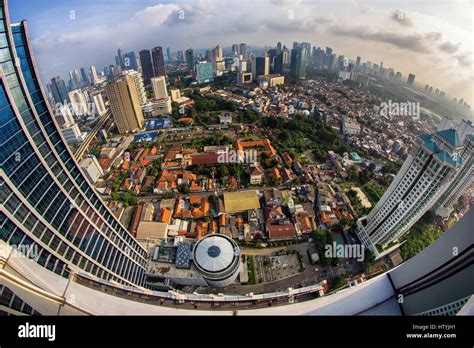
(47, 203)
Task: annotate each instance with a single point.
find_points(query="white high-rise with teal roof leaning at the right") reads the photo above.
(420, 183)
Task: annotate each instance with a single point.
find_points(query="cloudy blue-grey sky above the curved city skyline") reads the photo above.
(433, 39)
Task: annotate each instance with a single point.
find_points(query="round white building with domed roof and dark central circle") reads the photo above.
(217, 258)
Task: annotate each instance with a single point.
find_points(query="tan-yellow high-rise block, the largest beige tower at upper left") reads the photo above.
(125, 104)
